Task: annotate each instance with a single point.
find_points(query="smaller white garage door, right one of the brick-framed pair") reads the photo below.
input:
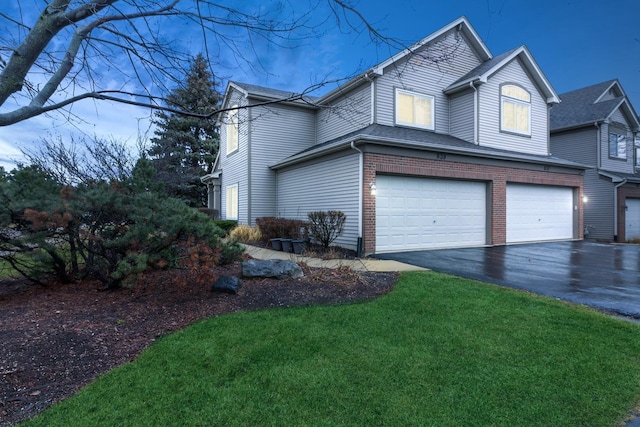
(538, 213)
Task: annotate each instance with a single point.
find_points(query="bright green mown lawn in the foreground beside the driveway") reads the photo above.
(437, 351)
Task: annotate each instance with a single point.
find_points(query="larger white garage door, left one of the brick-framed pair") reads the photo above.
(420, 213)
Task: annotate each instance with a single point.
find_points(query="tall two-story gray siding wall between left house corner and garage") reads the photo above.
(277, 131)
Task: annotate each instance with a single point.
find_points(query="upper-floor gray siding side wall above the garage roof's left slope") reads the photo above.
(350, 113)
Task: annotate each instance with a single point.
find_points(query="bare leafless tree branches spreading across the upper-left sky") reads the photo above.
(132, 51)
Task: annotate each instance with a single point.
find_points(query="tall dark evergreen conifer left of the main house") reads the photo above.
(184, 147)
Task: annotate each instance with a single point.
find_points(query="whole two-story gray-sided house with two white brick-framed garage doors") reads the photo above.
(454, 141)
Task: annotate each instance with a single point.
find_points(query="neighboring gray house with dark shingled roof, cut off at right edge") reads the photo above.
(598, 126)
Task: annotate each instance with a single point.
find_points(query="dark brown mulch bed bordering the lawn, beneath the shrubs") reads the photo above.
(58, 338)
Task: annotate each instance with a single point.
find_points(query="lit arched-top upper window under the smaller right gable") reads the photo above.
(515, 105)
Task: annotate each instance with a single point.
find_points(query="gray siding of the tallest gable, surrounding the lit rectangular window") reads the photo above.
(424, 76)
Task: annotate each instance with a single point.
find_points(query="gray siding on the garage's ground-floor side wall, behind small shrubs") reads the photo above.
(330, 184)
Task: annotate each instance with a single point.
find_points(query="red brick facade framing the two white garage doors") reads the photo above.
(495, 176)
